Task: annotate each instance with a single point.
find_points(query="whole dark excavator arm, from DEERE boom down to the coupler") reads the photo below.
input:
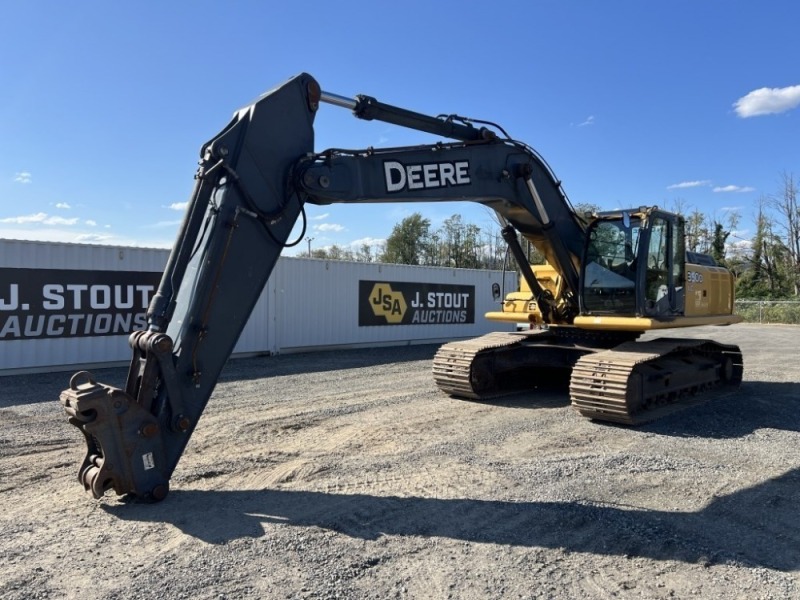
(252, 183)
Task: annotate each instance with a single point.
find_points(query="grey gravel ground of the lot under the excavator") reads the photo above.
(349, 475)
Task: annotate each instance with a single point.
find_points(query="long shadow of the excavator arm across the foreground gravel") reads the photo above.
(754, 527)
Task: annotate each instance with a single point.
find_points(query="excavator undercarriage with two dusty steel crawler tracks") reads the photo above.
(610, 378)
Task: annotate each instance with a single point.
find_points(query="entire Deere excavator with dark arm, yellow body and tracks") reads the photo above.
(609, 277)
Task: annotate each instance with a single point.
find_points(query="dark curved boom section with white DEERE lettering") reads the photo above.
(500, 174)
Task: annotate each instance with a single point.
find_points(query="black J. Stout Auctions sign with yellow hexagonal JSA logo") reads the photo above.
(405, 303)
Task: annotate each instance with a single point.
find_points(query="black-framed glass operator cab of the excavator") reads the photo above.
(634, 265)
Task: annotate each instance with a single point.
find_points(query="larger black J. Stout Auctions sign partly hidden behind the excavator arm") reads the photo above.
(49, 303)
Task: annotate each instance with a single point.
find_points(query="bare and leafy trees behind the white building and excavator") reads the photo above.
(766, 265)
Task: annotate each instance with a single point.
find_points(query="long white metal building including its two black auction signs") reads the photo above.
(69, 305)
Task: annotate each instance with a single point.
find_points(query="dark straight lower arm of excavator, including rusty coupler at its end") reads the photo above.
(238, 220)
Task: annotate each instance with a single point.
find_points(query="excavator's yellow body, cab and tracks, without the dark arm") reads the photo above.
(635, 276)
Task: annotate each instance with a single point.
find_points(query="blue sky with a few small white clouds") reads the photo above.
(105, 105)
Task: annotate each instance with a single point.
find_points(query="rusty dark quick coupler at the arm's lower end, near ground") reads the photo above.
(124, 447)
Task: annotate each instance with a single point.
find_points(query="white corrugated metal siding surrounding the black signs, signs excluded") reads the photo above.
(307, 303)
